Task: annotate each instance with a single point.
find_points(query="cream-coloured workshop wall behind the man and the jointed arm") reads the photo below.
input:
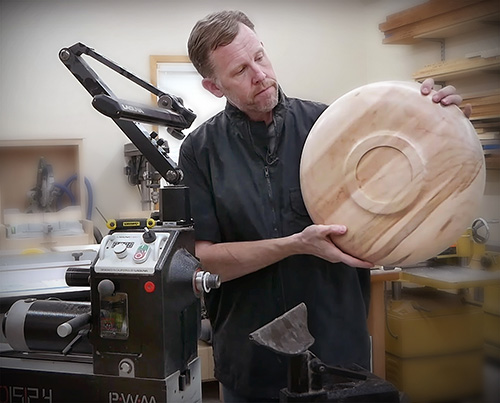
(320, 50)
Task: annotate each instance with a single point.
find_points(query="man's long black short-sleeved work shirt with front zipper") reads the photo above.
(240, 191)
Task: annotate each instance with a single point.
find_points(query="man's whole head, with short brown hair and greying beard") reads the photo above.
(227, 53)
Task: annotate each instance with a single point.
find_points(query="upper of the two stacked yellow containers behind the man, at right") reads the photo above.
(428, 322)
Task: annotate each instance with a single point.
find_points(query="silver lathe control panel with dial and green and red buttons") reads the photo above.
(132, 253)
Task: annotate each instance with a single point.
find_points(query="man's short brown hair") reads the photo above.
(216, 29)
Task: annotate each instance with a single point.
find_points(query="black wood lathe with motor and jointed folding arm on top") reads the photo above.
(136, 340)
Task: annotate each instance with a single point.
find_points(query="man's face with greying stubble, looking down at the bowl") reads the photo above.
(244, 75)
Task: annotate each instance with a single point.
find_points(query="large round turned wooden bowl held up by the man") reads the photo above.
(404, 174)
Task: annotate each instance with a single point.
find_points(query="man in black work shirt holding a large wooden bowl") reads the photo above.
(252, 228)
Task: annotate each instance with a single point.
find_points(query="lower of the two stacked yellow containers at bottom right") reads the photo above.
(440, 378)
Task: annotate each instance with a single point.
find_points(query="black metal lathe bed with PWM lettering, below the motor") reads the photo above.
(34, 380)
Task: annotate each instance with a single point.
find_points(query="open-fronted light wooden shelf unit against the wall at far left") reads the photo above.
(19, 161)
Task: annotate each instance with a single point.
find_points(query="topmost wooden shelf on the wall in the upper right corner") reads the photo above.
(438, 19)
